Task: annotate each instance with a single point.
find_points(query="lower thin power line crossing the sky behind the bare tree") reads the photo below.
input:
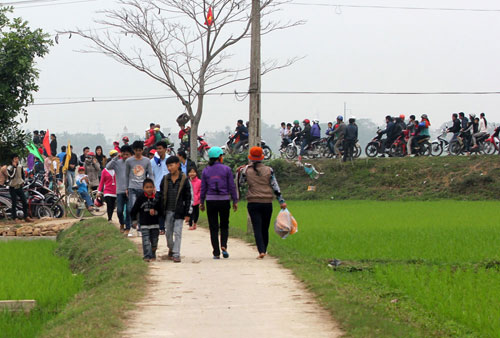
(151, 98)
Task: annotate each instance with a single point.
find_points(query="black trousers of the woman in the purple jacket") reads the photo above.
(216, 209)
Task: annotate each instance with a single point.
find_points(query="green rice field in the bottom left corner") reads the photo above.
(31, 270)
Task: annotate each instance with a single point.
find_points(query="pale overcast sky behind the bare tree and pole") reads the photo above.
(359, 49)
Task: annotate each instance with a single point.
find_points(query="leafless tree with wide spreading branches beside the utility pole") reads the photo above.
(176, 44)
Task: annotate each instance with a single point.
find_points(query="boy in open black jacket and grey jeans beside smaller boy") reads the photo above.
(177, 205)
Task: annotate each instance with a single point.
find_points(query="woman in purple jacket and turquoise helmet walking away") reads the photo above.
(218, 188)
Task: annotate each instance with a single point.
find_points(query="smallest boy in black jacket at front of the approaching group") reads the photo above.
(148, 209)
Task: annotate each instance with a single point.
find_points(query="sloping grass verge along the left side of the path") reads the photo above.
(114, 276)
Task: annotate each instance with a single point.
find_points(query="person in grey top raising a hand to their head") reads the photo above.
(117, 164)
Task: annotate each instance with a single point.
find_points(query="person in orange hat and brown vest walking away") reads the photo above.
(262, 187)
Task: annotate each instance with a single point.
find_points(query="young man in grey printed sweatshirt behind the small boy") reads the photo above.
(137, 169)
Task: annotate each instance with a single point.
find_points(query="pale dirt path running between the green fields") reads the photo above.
(236, 297)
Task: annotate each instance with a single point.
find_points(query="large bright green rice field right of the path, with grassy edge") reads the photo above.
(408, 268)
